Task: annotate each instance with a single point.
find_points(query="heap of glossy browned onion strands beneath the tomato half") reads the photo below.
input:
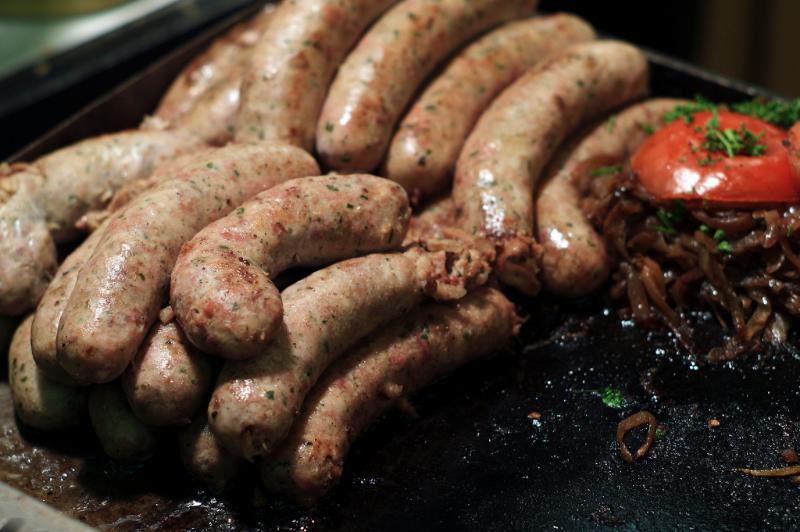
(740, 264)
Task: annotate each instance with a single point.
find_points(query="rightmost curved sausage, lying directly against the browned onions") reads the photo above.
(574, 260)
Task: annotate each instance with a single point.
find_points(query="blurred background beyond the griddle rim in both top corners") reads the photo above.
(58, 55)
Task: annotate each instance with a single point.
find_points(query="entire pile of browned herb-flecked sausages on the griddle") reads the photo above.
(167, 320)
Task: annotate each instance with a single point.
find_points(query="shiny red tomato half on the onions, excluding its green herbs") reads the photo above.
(667, 167)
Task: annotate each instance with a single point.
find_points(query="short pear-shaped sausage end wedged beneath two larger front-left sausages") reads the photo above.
(169, 380)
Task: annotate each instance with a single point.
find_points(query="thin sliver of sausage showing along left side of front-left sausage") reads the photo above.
(51, 307)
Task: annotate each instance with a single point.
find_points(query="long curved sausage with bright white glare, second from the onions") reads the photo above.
(515, 137)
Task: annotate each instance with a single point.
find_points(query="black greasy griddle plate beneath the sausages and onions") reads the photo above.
(473, 457)
